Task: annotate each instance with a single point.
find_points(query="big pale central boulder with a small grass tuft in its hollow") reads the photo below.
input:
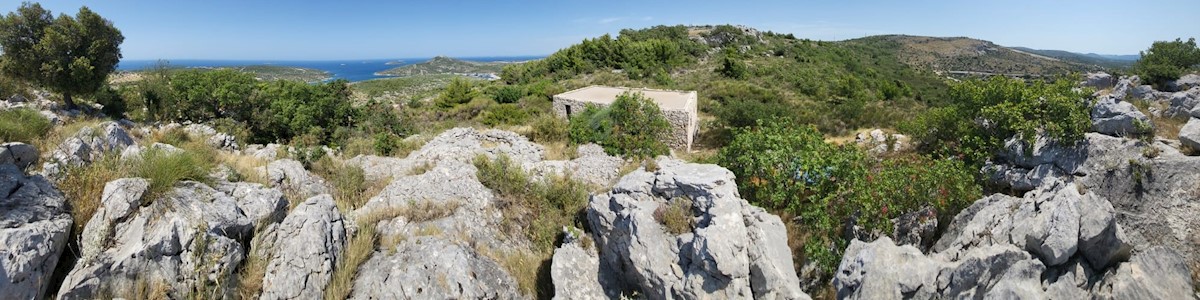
(735, 251)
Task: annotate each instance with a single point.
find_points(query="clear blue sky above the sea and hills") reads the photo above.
(317, 31)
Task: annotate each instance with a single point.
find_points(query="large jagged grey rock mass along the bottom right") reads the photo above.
(1054, 243)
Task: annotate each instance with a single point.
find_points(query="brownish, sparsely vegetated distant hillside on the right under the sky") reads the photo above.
(971, 56)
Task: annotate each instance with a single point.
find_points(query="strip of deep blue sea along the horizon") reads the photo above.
(349, 70)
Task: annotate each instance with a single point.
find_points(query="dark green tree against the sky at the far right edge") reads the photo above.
(1168, 61)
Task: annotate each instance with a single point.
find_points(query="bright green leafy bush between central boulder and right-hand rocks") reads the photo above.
(794, 170)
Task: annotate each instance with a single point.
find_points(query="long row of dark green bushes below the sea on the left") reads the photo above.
(271, 112)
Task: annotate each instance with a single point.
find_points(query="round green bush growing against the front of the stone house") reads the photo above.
(633, 127)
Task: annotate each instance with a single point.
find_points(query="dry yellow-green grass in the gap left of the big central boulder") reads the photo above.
(538, 212)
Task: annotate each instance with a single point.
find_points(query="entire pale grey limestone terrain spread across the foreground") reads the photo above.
(1111, 218)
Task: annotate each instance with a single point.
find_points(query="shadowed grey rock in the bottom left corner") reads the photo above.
(34, 230)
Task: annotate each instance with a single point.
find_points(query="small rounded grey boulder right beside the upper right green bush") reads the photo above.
(1118, 118)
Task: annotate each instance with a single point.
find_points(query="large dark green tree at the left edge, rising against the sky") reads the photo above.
(70, 56)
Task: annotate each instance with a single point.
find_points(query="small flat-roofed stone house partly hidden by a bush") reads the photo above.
(679, 107)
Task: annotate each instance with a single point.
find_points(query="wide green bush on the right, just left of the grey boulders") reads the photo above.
(985, 113)
